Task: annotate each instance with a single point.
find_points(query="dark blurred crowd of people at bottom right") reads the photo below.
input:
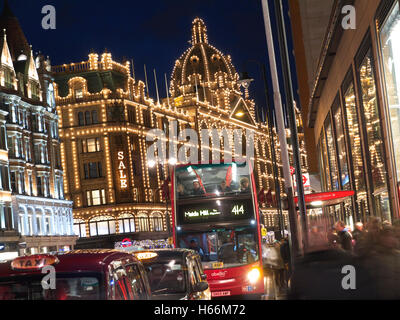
(373, 250)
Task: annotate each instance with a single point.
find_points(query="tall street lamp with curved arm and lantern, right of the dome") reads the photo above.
(245, 81)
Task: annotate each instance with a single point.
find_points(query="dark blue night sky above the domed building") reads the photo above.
(154, 32)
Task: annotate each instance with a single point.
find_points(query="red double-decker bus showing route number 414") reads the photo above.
(215, 212)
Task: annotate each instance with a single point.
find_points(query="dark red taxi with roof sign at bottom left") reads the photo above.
(75, 275)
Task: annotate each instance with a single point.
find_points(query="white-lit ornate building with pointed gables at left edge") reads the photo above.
(33, 211)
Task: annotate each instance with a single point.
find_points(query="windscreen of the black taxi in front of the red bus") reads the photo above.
(166, 276)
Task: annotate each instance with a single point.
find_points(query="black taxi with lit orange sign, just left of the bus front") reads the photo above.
(175, 274)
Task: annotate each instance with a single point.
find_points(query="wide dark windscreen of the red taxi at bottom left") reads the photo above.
(68, 286)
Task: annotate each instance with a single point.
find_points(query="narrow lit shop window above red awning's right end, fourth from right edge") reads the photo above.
(344, 170)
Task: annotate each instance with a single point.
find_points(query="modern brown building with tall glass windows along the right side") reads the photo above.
(355, 113)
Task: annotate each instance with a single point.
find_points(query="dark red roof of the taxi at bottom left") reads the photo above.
(88, 260)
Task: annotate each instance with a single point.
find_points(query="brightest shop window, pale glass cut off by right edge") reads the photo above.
(390, 44)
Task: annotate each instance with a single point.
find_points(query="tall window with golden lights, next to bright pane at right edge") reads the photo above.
(374, 137)
